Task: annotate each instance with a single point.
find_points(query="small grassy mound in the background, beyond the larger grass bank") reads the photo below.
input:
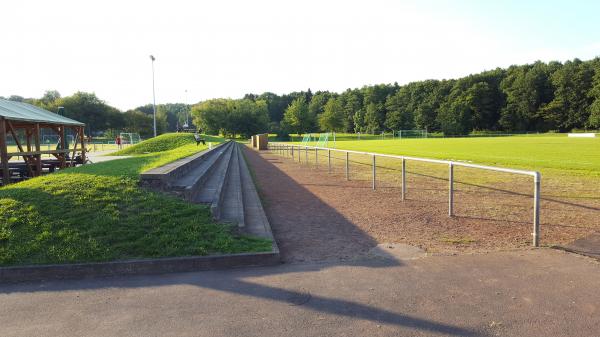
(168, 141)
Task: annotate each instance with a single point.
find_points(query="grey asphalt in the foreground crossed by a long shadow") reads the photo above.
(519, 293)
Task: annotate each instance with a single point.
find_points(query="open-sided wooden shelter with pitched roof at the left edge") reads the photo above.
(23, 123)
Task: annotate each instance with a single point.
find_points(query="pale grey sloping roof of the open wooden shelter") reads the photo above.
(24, 112)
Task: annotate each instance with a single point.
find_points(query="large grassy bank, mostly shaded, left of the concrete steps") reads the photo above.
(98, 213)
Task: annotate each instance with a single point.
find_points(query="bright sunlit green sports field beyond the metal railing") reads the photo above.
(547, 154)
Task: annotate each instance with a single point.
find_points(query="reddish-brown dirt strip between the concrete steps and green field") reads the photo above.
(316, 215)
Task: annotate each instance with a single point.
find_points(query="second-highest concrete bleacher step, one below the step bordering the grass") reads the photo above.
(192, 182)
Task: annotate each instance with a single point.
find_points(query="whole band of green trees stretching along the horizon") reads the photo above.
(538, 97)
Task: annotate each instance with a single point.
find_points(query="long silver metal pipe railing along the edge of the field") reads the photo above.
(294, 151)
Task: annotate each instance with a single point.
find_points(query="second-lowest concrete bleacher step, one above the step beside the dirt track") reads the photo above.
(230, 203)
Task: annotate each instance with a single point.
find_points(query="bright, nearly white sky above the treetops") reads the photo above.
(227, 48)
